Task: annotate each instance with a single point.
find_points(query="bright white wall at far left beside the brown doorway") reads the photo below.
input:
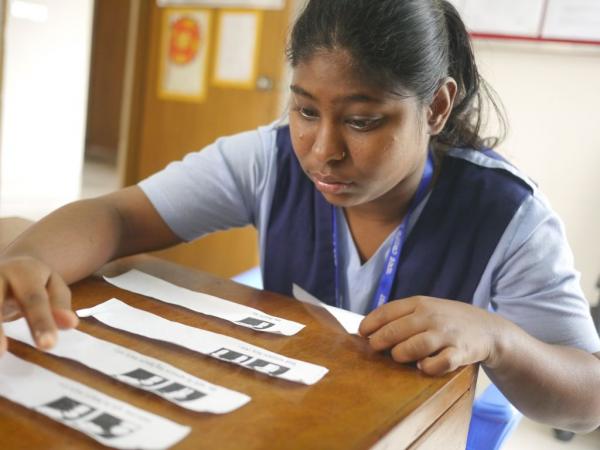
(44, 103)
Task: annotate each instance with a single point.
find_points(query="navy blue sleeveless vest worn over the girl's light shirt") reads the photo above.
(444, 255)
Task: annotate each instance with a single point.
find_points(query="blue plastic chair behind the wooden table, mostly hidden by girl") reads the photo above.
(493, 419)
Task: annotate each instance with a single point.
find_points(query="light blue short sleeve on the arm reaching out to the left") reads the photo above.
(217, 188)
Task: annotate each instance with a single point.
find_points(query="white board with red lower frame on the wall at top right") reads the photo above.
(571, 21)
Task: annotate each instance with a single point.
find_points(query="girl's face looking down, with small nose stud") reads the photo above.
(360, 145)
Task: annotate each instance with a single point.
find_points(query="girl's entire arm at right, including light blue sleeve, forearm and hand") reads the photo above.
(529, 347)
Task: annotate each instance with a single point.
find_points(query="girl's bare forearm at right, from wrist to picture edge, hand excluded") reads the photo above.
(556, 385)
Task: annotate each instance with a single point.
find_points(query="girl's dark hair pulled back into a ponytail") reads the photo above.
(408, 47)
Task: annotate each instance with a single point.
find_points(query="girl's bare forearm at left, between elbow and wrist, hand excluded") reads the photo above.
(74, 240)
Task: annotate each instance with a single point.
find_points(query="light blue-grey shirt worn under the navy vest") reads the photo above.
(530, 278)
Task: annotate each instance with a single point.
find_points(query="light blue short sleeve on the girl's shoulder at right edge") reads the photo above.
(533, 282)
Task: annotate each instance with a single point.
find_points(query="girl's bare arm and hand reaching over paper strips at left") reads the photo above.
(68, 245)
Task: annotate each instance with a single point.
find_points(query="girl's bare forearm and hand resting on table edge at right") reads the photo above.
(552, 384)
